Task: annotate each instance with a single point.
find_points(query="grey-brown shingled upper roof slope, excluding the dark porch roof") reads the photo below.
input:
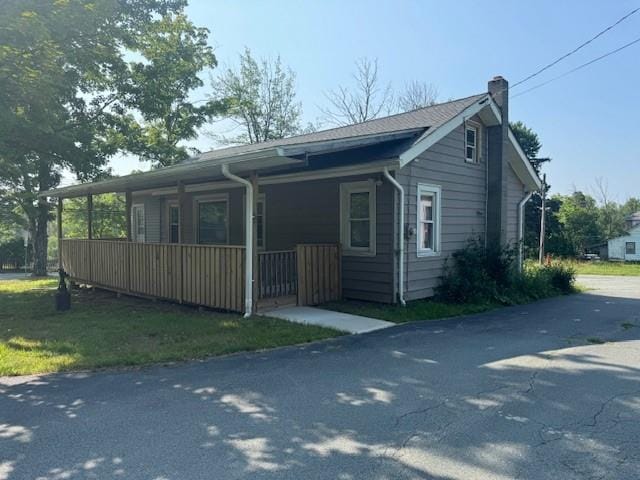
(427, 117)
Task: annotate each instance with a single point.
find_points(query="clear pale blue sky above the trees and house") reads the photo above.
(586, 121)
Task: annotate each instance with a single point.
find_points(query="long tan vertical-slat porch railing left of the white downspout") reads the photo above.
(208, 275)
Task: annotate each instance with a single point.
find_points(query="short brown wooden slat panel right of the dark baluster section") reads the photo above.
(319, 273)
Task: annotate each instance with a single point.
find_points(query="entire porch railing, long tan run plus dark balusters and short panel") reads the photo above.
(205, 275)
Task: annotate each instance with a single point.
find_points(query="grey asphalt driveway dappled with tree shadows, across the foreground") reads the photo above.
(524, 392)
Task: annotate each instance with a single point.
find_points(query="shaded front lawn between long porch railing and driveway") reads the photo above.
(102, 330)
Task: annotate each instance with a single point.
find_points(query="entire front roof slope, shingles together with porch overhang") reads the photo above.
(278, 154)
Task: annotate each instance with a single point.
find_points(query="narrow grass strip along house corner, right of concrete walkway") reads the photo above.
(416, 310)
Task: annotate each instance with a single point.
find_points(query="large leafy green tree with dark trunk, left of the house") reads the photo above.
(70, 97)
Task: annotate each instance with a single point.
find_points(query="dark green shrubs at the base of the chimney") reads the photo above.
(484, 274)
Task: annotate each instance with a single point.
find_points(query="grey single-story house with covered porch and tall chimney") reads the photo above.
(369, 211)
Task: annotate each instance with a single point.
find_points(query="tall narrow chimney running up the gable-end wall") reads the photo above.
(498, 139)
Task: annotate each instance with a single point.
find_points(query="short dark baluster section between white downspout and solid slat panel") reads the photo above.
(277, 275)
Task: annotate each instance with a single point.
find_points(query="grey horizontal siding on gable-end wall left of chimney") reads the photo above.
(463, 206)
